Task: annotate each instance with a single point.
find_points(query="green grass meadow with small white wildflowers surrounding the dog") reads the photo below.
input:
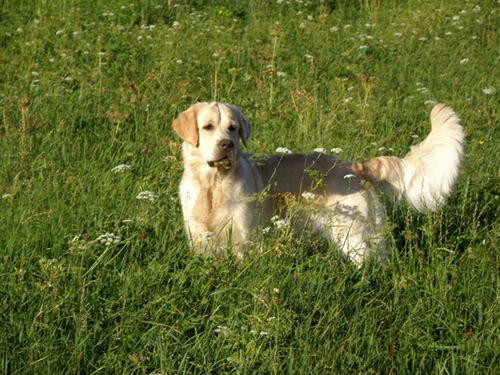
(85, 88)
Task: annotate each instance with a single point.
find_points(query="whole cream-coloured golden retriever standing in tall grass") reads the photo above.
(220, 185)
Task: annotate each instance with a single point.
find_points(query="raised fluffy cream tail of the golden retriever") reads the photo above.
(426, 175)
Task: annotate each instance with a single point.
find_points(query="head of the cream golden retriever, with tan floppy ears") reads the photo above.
(214, 129)
